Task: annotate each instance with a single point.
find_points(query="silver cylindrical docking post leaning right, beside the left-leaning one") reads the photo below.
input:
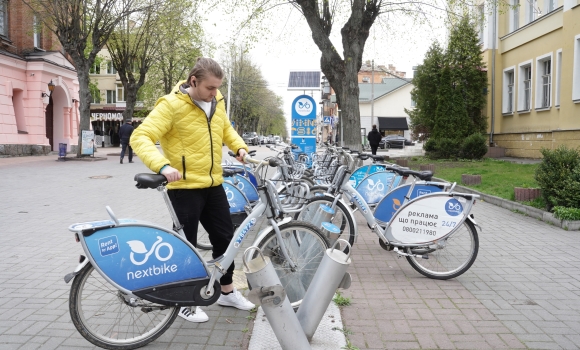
(330, 275)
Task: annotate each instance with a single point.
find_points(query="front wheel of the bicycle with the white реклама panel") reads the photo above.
(342, 218)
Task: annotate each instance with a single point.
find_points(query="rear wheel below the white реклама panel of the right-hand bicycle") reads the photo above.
(445, 263)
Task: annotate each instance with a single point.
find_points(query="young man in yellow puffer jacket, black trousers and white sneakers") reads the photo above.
(191, 125)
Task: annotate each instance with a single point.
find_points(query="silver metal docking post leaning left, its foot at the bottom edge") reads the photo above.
(268, 291)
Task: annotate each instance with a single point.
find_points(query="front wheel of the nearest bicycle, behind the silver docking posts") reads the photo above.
(306, 247)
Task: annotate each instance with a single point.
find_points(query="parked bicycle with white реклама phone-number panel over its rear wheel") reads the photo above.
(437, 243)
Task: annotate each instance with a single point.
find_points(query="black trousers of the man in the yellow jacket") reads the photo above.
(210, 207)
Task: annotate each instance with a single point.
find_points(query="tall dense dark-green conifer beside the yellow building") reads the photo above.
(449, 93)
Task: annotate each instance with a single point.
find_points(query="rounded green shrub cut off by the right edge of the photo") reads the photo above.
(553, 172)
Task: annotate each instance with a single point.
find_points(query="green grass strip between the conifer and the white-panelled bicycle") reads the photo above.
(498, 178)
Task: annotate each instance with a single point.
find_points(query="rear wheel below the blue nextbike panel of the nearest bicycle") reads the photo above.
(93, 299)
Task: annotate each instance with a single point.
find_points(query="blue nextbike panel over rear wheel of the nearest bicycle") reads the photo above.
(138, 257)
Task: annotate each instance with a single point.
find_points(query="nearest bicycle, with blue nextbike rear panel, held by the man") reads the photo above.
(134, 277)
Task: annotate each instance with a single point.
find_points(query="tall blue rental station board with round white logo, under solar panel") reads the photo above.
(304, 126)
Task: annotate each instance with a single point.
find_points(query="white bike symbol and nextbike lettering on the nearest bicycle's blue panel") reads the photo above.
(138, 248)
